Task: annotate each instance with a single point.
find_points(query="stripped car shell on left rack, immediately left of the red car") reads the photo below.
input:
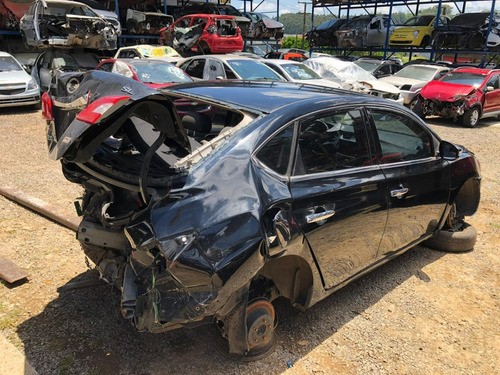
(147, 21)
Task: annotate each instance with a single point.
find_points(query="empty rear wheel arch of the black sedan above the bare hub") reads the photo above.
(293, 278)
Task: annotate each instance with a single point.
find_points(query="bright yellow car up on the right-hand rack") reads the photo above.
(416, 32)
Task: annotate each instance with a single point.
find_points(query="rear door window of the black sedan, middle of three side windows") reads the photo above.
(333, 142)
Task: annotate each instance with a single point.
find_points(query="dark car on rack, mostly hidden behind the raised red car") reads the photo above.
(219, 9)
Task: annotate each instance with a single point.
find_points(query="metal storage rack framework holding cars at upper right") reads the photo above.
(371, 7)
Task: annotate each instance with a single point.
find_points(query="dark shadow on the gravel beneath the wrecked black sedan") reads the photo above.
(82, 332)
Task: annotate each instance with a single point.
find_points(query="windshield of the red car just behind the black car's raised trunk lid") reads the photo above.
(150, 71)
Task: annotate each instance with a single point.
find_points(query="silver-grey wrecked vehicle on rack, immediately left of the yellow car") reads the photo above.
(364, 31)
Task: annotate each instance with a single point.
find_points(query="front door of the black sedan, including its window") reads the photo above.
(418, 180)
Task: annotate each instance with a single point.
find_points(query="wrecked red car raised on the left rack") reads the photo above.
(203, 33)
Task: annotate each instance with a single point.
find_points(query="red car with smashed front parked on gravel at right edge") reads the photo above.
(466, 93)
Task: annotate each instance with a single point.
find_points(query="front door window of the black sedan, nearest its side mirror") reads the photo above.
(400, 137)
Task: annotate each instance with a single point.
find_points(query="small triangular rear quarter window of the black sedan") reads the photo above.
(276, 152)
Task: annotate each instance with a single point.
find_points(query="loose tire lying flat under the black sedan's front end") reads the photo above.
(459, 240)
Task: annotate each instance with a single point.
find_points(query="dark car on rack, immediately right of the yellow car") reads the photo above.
(468, 31)
